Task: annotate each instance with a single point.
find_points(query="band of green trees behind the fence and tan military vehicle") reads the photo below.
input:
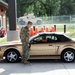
(46, 7)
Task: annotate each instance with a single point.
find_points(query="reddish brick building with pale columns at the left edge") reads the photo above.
(3, 8)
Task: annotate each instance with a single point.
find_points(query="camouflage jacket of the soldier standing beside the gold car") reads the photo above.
(24, 35)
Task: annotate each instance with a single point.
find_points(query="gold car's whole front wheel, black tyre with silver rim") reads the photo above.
(12, 56)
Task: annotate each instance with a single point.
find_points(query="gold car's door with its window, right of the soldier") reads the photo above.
(40, 47)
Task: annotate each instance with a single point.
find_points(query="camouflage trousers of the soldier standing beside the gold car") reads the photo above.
(26, 52)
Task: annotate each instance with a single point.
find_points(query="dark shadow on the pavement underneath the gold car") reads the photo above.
(39, 61)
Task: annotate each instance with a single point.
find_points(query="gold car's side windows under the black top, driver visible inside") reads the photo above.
(45, 39)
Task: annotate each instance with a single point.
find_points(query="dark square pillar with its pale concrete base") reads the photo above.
(12, 34)
